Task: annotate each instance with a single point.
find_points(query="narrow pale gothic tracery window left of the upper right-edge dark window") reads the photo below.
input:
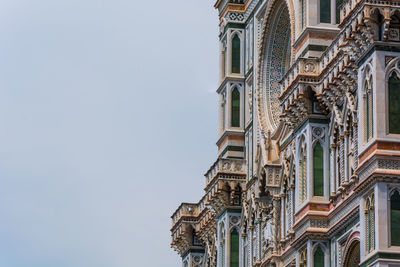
(368, 108)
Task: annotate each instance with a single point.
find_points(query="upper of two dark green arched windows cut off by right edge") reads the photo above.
(394, 104)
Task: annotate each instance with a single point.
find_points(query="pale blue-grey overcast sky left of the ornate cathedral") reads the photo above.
(108, 120)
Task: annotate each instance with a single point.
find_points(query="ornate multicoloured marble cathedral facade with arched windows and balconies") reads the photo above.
(308, 165)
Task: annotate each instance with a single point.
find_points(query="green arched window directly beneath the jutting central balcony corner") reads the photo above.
(318, 170)
